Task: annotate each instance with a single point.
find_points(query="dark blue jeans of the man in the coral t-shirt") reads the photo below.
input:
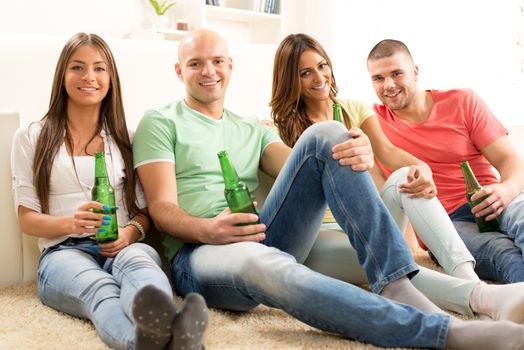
(498, 254)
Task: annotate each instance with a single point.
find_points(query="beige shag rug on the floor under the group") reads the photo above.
(27, 324)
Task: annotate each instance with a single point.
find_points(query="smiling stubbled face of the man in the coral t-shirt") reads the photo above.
(394, 80)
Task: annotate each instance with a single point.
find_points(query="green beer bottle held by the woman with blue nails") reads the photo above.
(104, 193)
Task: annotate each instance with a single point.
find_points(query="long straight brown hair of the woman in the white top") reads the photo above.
(112, 119)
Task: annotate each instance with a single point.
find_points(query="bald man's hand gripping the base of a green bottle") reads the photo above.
(223, 228)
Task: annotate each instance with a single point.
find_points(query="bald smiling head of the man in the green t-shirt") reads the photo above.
(205, 67)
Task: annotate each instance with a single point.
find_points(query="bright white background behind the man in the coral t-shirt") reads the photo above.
(466, 43)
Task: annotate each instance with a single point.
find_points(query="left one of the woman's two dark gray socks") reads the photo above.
(154, 311)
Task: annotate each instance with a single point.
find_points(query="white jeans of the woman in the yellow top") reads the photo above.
(332, 256)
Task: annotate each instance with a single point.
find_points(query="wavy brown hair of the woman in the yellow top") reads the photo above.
(287, 109)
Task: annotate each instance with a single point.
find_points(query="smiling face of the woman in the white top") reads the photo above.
(86, 77)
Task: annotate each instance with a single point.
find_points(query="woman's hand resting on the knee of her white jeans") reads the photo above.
(419, 183)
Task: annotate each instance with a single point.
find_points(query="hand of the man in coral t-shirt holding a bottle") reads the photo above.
(498, 198)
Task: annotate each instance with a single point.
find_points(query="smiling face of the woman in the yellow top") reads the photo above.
(315, 77)
